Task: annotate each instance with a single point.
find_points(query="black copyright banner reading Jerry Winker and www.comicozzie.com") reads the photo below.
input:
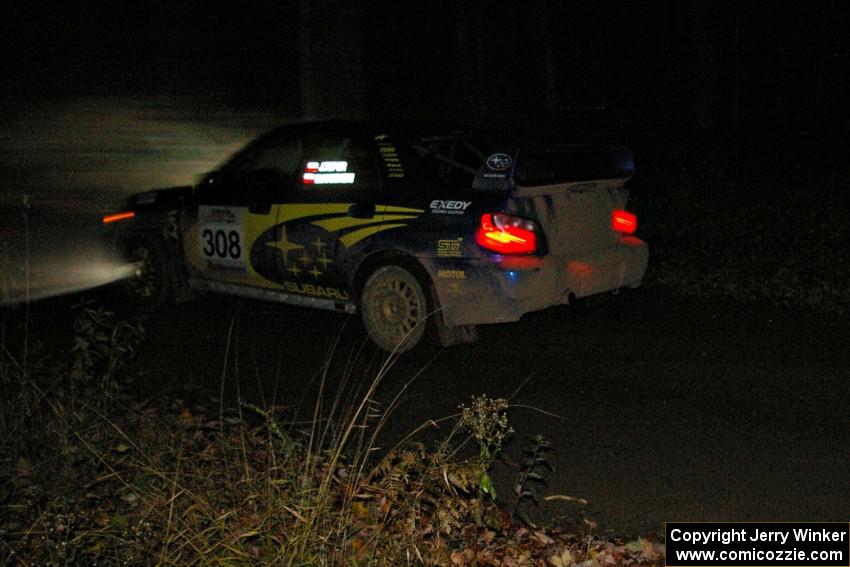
(758, 544)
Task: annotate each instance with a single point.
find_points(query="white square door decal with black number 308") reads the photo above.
(221, 238)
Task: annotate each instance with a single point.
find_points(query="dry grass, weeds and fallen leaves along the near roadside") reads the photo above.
(92, 476)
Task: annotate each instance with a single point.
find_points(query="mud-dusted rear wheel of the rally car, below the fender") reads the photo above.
(394, 308)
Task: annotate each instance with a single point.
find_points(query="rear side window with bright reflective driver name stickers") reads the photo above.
(331, 164)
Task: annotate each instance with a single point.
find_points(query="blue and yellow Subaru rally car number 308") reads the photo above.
(411, 231)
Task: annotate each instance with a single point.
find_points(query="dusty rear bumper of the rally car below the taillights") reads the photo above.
(500, 289)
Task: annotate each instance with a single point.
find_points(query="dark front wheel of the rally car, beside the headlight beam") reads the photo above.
(150, 285)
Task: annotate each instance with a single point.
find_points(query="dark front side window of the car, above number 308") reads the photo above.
(256, 176)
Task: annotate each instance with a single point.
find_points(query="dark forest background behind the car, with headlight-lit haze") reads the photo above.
(738, 112)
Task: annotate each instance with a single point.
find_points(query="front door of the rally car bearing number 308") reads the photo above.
(237, 206)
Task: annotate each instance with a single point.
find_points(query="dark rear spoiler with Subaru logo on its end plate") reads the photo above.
(505, 170)
